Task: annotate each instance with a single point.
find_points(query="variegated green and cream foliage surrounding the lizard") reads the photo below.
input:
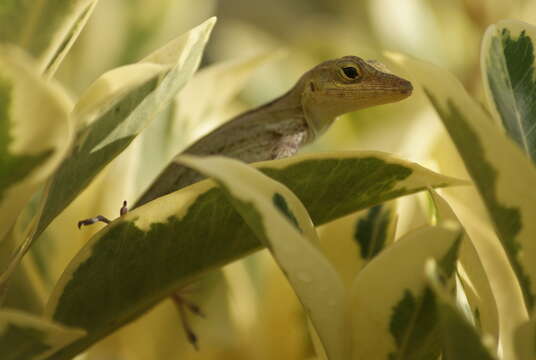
(378, 271)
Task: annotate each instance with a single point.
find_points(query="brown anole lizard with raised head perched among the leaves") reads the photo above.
(279, 128)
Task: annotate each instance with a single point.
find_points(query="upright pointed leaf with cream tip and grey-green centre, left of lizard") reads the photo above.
(119, 105)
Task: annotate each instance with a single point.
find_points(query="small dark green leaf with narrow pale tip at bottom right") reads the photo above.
(460, 340)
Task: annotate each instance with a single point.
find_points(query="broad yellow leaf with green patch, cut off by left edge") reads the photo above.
(35, 133)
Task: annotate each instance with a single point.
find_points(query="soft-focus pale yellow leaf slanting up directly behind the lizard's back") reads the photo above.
(132, 171)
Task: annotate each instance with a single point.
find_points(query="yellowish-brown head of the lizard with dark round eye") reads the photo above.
(347, 84)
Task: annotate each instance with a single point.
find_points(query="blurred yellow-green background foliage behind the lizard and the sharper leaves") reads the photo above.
(252, 313)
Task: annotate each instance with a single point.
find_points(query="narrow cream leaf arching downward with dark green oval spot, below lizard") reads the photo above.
(281, 222)
